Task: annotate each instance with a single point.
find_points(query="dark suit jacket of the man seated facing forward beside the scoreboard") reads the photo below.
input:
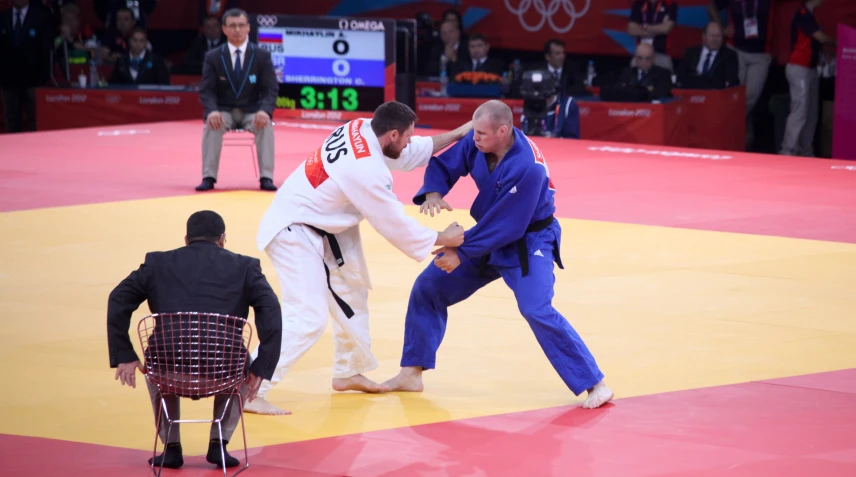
(255, 91)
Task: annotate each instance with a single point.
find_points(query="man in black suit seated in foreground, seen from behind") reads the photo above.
(201, 277)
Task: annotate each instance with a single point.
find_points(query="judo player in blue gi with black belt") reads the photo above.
(515, 238)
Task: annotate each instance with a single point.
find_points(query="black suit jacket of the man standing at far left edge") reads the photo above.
(26, 63)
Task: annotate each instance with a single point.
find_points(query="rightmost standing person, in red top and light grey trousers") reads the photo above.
(807, 40)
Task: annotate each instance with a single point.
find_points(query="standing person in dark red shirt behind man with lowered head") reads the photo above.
(651, 22)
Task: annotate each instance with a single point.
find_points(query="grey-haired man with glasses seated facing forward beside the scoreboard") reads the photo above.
(238, 89)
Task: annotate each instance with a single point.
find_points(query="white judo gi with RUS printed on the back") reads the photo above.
(347, 179)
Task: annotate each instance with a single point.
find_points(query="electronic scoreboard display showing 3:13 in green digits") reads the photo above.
(329, 64)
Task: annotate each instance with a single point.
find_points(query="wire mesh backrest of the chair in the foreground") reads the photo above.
(195, 355)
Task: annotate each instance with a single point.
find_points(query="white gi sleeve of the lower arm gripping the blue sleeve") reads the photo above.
(369, 188)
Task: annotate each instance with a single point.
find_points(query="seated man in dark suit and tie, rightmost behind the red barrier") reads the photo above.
(709, 65)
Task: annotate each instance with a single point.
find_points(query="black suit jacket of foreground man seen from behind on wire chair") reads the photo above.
(200, 277)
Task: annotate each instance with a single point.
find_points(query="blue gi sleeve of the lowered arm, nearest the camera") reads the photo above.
(506, 221)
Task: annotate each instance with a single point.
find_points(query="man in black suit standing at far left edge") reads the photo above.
(26, 35)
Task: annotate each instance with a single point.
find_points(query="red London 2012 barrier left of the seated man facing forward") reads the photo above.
(77, 108)
